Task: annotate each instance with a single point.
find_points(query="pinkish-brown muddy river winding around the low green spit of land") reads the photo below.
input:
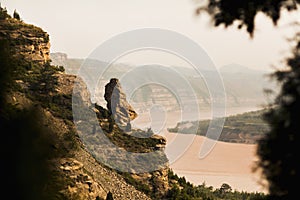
(226, 163)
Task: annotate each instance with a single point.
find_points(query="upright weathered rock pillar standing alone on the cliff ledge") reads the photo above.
(121, 110)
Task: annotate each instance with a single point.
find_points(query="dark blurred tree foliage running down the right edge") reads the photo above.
(278, 150)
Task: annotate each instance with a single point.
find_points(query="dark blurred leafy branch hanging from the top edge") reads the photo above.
(228, 11)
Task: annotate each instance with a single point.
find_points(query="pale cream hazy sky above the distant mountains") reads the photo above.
(77, 27)
